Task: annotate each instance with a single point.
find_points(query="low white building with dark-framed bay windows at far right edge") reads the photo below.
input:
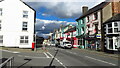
(111, 33)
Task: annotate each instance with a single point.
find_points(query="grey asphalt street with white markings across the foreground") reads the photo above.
(65, 58)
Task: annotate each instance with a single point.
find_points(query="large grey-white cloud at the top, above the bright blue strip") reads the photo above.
(63, 9)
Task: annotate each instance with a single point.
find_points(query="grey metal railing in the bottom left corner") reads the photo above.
(8, 63)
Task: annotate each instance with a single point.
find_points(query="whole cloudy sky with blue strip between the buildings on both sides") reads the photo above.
(50, 14)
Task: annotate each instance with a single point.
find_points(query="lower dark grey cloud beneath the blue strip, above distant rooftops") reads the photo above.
(49, 25)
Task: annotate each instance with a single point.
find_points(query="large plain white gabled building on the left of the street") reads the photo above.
(16, 24)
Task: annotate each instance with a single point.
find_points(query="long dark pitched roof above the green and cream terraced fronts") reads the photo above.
(96, 8)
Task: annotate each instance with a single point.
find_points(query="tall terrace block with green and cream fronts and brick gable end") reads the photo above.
(90, 24)
